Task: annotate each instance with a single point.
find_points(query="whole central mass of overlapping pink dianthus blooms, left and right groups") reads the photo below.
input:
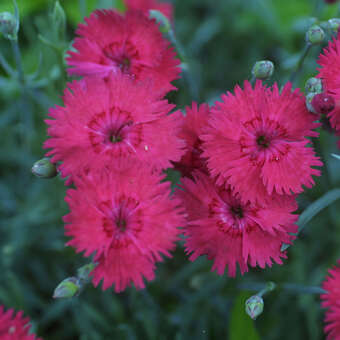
(243, 161)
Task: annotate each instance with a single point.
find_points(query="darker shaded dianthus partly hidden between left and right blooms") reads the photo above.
(194, 123)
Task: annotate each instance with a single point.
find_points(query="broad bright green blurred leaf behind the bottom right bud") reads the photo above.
(241, 325)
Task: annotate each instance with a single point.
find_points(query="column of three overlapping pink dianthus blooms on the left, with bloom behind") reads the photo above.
(112, 139)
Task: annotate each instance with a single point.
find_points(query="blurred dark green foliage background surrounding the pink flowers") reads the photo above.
(223, 39)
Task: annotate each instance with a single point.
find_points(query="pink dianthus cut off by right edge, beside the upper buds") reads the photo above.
(329, 60)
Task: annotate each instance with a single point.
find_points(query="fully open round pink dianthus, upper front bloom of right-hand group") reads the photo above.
(256, 144)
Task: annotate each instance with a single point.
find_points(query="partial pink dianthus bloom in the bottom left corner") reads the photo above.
(14, 326)
